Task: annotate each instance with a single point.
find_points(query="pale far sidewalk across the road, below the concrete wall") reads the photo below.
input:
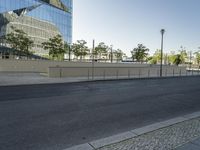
(13, 78)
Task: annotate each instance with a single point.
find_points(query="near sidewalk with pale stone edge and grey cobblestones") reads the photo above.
(166, 135)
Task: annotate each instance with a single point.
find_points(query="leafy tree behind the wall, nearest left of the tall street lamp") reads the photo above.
(140, 53)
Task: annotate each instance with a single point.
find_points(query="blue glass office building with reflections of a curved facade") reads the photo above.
(40, 19)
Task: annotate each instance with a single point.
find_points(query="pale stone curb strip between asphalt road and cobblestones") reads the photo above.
(133, 133)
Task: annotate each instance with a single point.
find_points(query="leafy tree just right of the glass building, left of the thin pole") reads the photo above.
(80, 49)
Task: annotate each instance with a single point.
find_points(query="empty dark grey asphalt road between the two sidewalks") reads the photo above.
(57, 116)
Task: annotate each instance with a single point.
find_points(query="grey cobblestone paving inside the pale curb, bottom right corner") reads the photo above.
(168, 138)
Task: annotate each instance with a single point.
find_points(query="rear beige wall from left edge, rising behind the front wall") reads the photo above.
(43, 65)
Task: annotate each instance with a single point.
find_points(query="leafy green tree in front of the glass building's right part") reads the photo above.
(55, 45)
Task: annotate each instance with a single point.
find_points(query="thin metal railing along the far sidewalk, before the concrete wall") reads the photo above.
(105, 73)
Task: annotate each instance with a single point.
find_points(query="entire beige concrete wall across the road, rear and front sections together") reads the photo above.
(80, 69)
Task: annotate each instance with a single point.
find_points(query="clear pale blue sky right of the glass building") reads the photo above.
(126, 23)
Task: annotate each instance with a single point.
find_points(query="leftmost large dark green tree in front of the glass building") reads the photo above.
(19, 41)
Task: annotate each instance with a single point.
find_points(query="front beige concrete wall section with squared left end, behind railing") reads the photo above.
(115, 71)
